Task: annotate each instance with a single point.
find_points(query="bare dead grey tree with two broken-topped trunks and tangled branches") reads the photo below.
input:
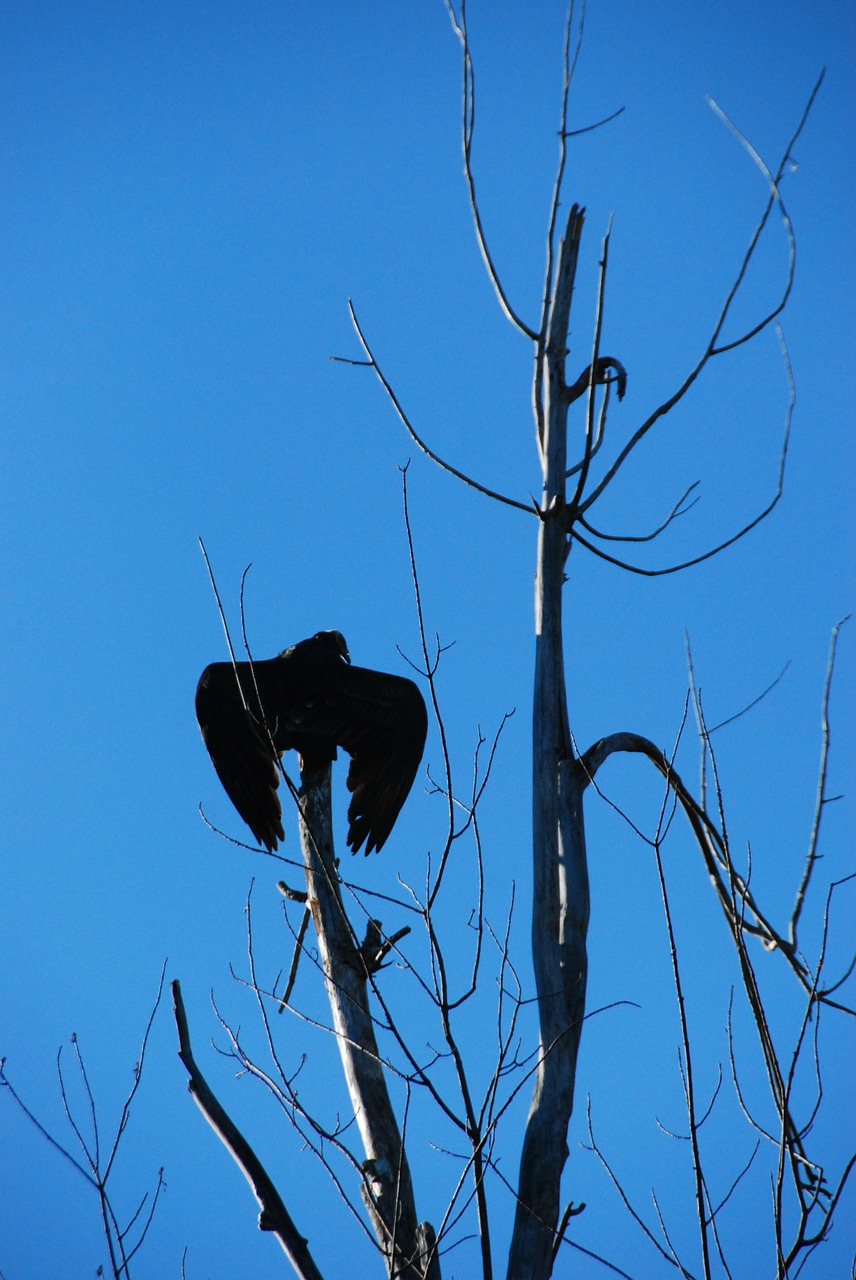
(564, 776)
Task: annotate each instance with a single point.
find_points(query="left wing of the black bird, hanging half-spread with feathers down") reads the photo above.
(241, 753)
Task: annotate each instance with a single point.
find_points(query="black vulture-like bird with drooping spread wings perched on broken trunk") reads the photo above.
(313, 701)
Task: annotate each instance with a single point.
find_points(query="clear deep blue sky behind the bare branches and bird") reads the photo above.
(190, 194)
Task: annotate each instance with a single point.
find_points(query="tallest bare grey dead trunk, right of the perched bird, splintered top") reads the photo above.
(561, 880)
